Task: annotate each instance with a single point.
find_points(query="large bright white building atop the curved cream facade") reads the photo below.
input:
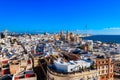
(71, 66)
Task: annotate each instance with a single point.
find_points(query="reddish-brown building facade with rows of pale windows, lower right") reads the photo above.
(105, 68)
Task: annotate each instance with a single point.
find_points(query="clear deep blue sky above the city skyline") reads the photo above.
(101, 16)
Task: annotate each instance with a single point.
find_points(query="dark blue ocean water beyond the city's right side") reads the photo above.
(104, 38)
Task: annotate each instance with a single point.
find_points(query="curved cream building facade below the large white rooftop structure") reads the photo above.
(87, 75)
